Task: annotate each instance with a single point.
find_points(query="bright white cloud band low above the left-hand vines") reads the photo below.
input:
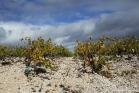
(62, 34)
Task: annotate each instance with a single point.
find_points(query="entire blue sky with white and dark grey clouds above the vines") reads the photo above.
(64, 21)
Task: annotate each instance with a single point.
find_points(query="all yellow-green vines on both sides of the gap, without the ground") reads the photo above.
(35, 50)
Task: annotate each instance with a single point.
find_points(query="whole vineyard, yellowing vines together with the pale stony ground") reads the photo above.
(108, 64)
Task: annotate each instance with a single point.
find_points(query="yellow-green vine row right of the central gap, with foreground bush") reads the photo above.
(106, 46)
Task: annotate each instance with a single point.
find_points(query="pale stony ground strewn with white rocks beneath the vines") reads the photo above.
(122, 77)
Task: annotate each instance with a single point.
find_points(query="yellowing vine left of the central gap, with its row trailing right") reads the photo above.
(37, 48)
